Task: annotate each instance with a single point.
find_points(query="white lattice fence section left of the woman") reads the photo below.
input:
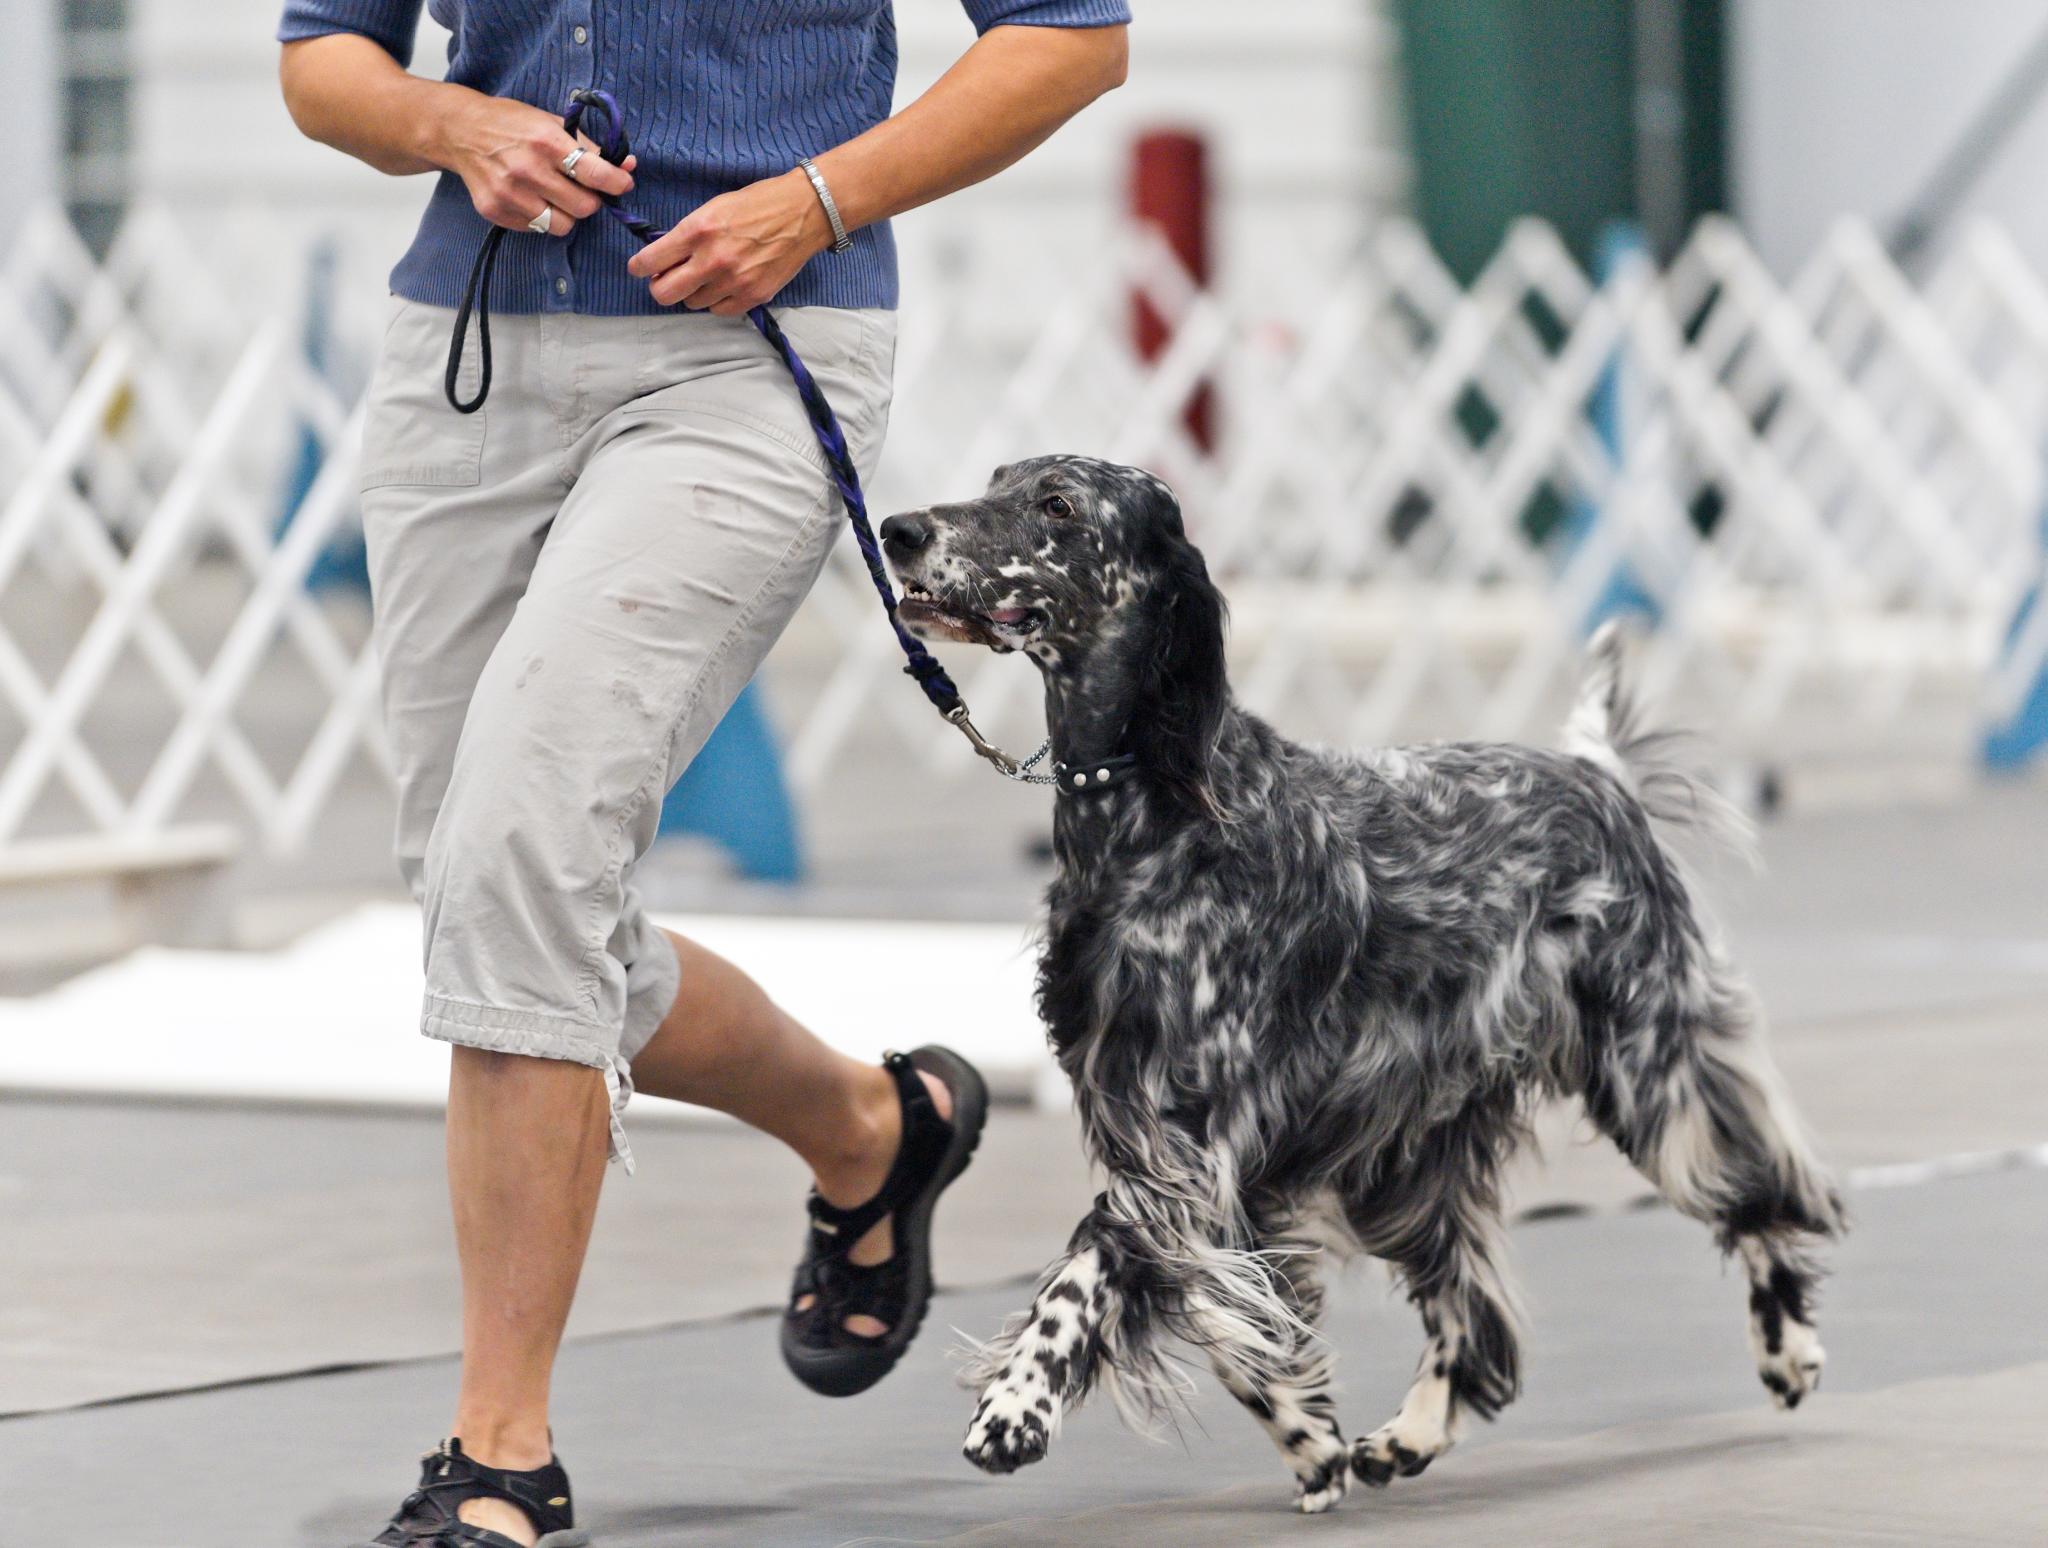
(146, 599)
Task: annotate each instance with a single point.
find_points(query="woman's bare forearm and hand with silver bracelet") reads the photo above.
(1007, 95)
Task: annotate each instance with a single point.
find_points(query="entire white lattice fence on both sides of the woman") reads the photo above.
(1422, 492)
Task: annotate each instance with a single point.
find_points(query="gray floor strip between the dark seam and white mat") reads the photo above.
(120, 1217)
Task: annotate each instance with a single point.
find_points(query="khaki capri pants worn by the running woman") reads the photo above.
(570, 587)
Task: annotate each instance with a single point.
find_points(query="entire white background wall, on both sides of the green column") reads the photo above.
(1840, 107)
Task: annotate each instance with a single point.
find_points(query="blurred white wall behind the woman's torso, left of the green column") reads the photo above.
(1297, 99)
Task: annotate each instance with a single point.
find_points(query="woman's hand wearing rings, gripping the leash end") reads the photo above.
(509, 157)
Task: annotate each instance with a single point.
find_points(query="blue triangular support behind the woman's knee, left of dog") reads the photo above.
(734, 793)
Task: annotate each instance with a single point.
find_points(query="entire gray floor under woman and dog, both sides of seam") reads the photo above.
(1904, 957)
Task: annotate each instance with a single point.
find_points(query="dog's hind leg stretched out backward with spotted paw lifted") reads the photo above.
(1715, 1129)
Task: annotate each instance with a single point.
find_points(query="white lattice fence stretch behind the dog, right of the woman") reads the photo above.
(1830, 490)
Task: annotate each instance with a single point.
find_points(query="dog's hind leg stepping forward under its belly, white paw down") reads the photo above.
(1441, 1228)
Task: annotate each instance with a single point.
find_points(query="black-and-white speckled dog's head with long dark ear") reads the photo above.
(1086, 568)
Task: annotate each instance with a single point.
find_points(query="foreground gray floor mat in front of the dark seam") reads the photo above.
(1641, 1424)
